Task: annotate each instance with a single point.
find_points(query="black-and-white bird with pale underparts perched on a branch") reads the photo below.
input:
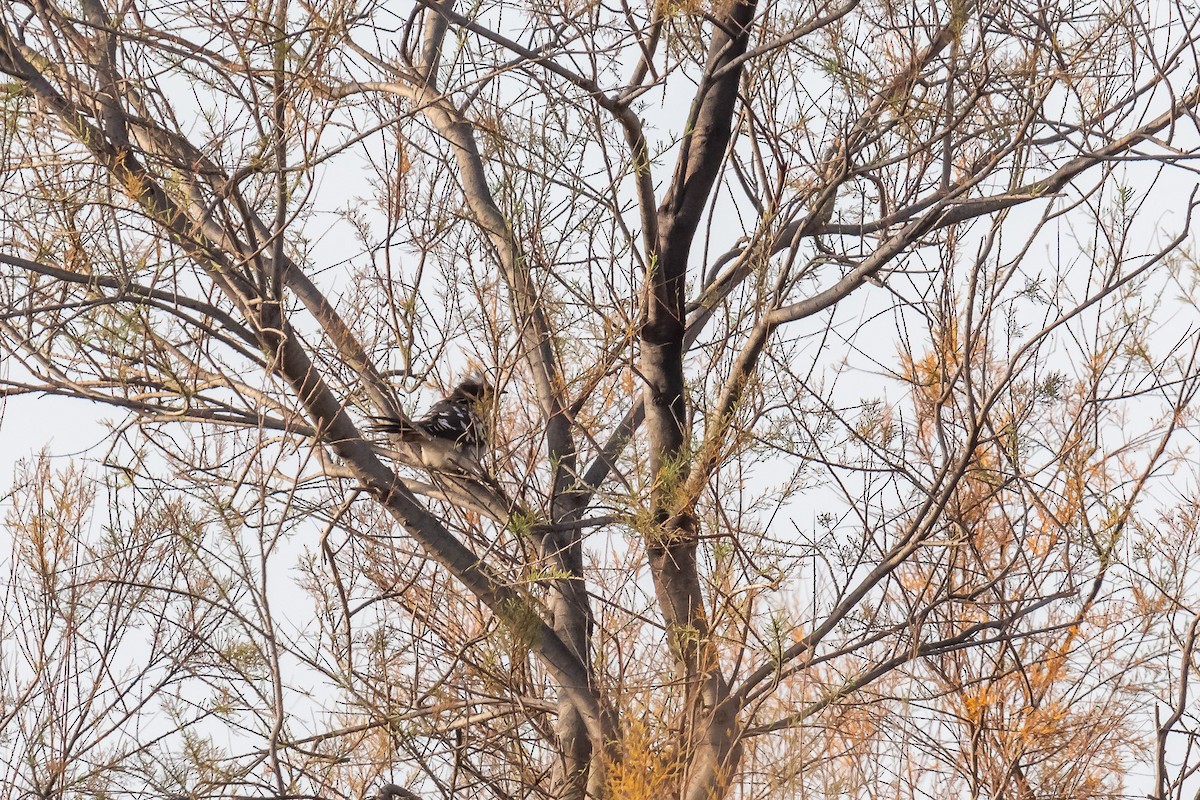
(453, 435)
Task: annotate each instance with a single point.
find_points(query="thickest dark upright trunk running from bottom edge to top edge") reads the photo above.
(711, 753)
